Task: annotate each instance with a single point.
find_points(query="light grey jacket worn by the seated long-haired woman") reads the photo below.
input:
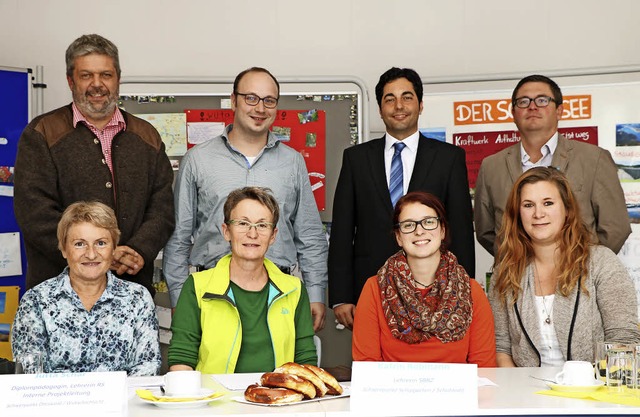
(609, 312)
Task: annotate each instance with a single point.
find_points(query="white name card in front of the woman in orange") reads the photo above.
(413, 389)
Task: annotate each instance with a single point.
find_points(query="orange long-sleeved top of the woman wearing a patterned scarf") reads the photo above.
(373, 341)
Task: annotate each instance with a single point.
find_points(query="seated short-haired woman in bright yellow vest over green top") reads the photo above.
(243, 315)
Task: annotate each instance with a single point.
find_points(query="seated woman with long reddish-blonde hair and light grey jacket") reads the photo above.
(555, 293)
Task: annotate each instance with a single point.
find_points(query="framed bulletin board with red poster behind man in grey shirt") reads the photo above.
(337, 108)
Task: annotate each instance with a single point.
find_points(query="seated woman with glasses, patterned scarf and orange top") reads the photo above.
(422, 306)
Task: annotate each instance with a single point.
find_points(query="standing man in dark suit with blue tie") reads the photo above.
(362, 231)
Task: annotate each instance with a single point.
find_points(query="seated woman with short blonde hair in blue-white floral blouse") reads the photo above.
(86, 319)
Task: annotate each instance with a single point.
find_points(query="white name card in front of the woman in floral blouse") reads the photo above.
(81, 394)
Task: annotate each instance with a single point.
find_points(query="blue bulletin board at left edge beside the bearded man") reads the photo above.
(15, 113)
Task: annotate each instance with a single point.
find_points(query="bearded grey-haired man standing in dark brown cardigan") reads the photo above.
(91, 150)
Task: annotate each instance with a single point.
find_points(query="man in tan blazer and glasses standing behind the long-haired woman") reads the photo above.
(537, 108)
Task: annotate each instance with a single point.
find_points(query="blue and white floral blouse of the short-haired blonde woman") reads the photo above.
(119, 333)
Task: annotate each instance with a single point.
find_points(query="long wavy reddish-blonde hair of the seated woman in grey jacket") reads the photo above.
(515, 250)
